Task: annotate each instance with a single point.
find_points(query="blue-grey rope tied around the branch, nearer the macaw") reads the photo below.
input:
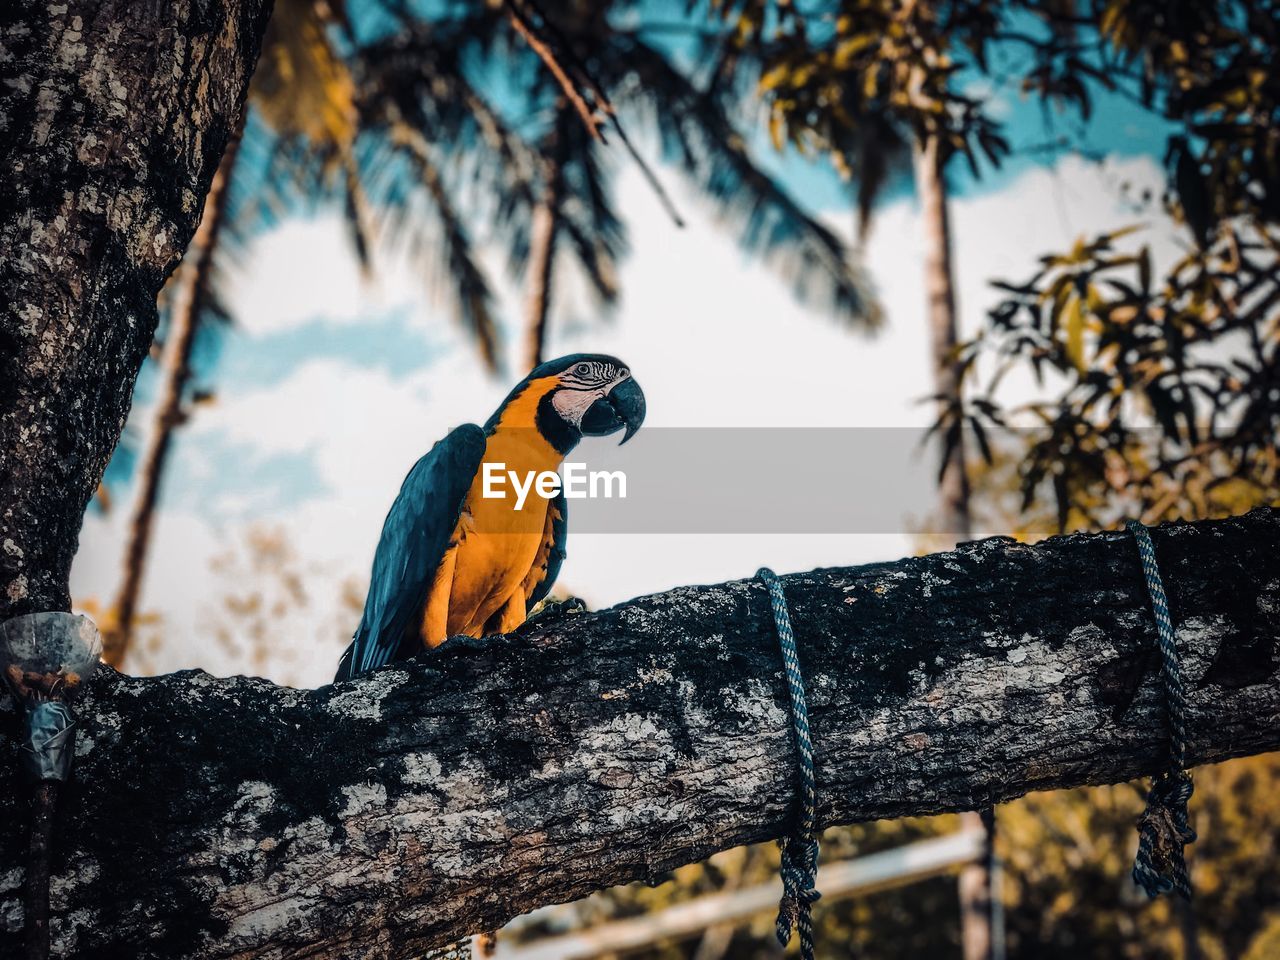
(801, 848)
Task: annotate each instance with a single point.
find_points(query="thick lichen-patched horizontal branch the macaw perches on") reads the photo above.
(232, 819)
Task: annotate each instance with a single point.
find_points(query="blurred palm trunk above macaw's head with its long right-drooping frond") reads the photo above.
(575, 220)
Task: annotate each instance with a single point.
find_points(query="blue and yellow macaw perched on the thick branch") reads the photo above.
(452, 561)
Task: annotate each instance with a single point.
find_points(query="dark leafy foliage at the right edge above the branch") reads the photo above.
(1159, 395)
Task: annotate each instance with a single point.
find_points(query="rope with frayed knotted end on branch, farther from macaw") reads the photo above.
(1164, 831)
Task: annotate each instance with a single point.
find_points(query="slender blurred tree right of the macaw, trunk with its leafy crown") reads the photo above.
(879, 95)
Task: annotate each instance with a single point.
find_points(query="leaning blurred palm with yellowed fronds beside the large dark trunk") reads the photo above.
(309, 112)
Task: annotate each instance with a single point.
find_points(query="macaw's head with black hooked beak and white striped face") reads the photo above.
(583, 395)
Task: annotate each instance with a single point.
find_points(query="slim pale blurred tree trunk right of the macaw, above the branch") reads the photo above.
(954, 515)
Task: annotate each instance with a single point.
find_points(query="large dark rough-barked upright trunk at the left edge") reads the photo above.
(113, 120)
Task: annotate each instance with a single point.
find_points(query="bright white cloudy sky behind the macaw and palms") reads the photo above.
(715, 341)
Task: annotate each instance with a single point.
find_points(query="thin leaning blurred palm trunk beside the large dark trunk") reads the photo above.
(190, 298)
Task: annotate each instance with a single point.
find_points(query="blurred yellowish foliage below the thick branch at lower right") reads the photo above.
(1067, 858)
